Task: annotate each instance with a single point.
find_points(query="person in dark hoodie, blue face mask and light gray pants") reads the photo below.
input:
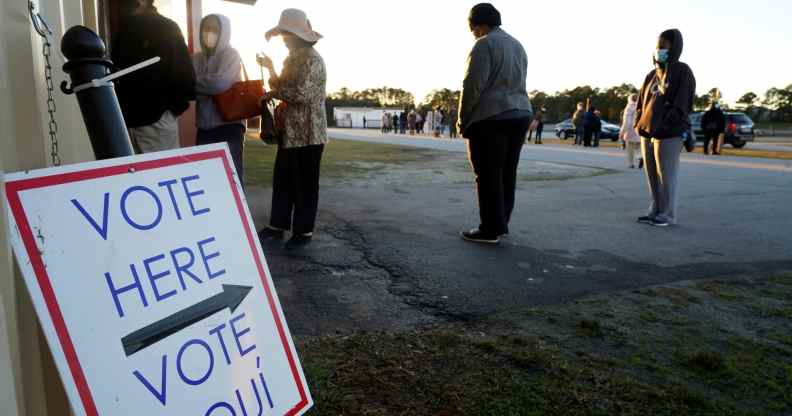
(663, 122)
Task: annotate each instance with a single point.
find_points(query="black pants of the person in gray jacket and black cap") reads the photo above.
(494, 148)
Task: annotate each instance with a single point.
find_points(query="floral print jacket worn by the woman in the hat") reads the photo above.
(302, 86)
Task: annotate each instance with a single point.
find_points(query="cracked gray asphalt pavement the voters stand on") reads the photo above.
(386, 254)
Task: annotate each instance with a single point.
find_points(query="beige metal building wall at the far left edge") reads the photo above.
(25, 144)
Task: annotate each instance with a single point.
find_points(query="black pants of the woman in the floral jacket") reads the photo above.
(295, 189)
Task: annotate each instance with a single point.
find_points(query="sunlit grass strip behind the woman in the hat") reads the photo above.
(341, 158)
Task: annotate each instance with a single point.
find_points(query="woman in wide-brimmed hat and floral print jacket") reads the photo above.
(301, 85)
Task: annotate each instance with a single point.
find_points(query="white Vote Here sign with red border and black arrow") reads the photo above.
(152, 289)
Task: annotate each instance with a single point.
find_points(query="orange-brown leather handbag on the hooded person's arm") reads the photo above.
(242, 101)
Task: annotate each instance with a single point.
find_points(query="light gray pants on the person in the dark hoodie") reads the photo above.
(661, 161)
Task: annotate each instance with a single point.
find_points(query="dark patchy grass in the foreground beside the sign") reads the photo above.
(636, 363)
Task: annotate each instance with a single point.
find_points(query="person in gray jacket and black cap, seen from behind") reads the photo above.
(494, 116)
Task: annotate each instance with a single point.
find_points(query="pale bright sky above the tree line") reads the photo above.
(418, 46)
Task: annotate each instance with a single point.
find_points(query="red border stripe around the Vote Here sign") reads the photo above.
(13, 188)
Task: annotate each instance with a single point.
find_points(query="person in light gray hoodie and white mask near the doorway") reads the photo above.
(217, 68)
